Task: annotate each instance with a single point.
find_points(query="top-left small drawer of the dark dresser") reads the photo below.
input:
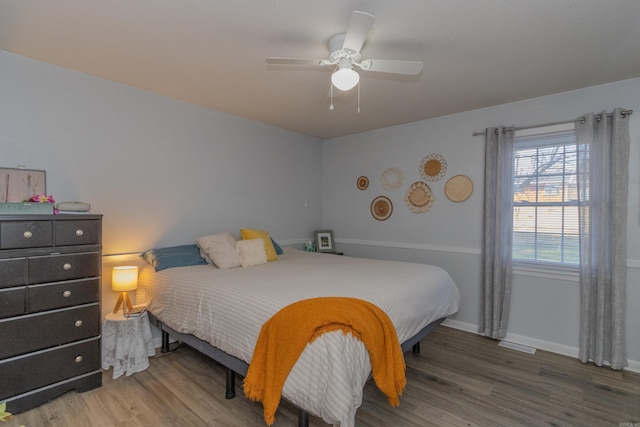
(26, 234)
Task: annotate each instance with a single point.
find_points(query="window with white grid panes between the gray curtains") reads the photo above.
(545, 198)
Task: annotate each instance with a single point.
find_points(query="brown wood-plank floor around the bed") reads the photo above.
(459, 379)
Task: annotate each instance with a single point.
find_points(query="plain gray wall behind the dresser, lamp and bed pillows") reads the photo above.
(162, 172)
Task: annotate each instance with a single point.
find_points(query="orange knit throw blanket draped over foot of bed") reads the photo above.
(283, 338)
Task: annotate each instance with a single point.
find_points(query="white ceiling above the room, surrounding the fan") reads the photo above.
(477, 53)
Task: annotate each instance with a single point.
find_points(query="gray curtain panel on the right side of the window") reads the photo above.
(603, 177)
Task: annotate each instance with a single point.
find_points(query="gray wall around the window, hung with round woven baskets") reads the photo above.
(545, 308)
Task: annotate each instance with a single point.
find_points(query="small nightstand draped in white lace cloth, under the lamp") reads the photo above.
(127, 344)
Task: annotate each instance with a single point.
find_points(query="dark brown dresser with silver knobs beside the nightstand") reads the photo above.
(50, 271)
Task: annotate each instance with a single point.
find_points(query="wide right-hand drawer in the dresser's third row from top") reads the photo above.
(63, 294)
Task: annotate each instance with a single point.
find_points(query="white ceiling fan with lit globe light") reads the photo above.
(344, 54)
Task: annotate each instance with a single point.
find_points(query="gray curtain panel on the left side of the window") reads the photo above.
(498, 213)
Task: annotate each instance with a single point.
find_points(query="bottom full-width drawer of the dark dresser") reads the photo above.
(29, 372)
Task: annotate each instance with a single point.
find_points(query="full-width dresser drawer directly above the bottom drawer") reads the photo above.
(39, 331)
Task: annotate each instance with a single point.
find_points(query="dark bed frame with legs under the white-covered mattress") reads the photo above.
(234, 366)
